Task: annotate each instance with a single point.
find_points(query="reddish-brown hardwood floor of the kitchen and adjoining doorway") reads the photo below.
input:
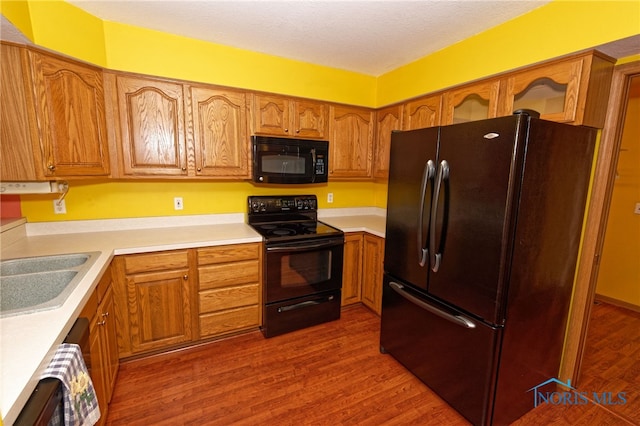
(329, 374)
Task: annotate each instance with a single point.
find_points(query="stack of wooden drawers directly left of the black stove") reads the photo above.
(229, 279)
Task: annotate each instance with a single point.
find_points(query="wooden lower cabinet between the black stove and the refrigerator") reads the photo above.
(362, 270)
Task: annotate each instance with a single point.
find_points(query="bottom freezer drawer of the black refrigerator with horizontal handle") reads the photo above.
(456, 361)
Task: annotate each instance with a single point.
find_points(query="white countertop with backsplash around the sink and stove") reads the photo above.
(29, 341)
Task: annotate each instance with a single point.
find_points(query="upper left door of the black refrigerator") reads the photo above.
(412, 166)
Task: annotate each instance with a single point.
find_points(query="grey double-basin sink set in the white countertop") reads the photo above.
(40, 283)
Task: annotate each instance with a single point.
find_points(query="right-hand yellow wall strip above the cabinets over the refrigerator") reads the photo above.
(556, 29)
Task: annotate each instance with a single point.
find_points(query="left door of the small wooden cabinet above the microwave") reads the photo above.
(271, 115)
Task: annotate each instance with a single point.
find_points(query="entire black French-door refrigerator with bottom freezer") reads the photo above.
(482, 235)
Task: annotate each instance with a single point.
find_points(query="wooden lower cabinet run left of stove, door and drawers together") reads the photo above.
(174, 298)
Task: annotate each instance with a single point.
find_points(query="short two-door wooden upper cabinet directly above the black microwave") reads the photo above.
(280, 116)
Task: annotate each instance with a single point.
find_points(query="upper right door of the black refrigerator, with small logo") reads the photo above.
(471, 219)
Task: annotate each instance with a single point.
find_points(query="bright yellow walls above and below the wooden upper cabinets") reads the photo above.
(551, 30)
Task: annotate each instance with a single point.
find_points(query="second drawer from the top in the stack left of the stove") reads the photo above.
(229, 274)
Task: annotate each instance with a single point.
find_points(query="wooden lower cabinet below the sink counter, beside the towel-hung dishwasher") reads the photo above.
(104, 361)
